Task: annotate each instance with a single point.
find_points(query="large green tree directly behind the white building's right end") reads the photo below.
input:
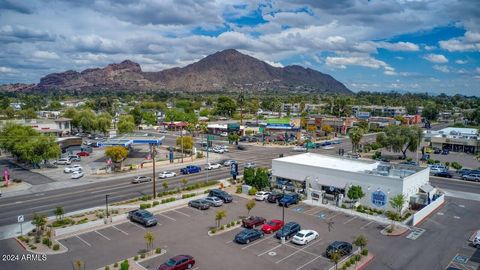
(401, 138)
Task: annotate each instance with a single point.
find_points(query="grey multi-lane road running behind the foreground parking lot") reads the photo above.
(91, 195)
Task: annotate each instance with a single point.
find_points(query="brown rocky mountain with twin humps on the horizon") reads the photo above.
(228, 70)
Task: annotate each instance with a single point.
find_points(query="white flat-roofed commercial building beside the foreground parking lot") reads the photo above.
(328, 178)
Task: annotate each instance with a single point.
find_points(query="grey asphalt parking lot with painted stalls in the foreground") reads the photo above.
(433, 245)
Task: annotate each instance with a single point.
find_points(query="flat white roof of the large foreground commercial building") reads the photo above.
(352, 165)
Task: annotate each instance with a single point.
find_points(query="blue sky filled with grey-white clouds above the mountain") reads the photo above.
(376, 45)
